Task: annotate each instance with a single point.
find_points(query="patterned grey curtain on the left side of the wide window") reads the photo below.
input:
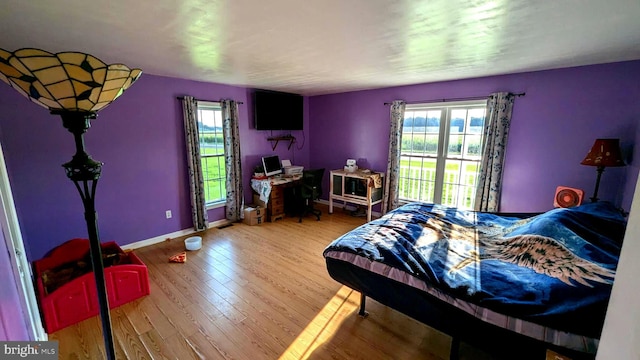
(390, 199)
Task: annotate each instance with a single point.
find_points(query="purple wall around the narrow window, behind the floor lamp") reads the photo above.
(140, 139)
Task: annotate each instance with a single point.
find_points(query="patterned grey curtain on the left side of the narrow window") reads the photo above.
(198, 210)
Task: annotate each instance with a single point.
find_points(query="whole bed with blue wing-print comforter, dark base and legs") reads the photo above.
(506, 283)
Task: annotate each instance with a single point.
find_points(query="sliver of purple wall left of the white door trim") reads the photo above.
(12, 322)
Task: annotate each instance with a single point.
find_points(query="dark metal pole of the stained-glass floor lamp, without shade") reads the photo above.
(85, 172)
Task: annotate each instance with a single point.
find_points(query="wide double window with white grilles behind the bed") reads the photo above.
(440, 153)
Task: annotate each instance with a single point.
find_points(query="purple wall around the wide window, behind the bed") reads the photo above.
(552, 128)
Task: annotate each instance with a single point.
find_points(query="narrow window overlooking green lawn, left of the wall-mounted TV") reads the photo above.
(212, 152)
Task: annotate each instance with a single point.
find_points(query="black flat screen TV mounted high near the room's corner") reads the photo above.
(273, 110)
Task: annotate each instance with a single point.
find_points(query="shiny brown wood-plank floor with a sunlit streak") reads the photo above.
(255, 292)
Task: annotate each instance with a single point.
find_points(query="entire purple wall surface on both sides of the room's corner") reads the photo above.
(140, 139)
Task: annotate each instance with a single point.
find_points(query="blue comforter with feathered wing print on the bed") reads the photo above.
(555, 269)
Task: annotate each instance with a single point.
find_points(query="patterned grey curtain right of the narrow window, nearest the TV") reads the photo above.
(235, 197)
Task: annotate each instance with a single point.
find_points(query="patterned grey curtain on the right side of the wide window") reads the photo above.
(499, 108)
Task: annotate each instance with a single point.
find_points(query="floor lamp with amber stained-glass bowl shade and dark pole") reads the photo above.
(75, 86)
